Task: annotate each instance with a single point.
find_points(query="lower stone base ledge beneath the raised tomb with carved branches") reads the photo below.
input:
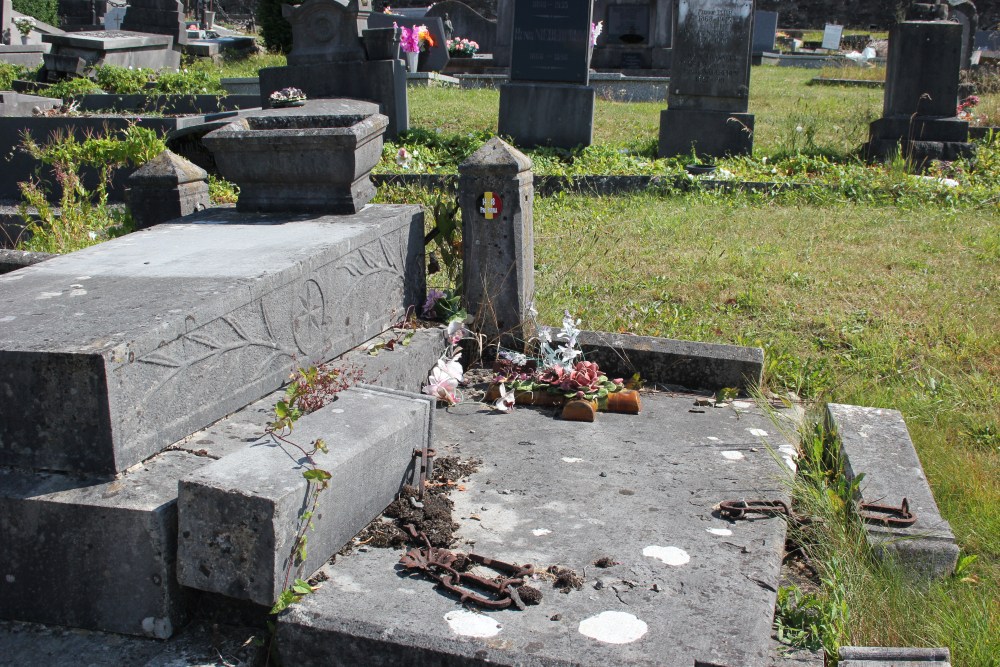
(100, 555)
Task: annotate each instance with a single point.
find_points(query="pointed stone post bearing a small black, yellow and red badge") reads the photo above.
(496, 193)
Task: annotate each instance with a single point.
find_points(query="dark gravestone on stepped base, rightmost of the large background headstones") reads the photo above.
(921, 90)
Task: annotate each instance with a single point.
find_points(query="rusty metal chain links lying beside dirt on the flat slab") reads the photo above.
(439, 564)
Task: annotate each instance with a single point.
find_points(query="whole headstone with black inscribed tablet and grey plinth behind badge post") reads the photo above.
(548, 101)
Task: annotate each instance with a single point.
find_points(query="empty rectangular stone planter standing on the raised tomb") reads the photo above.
(313, 158)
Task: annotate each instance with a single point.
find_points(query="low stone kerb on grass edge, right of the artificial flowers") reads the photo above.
(675, 362)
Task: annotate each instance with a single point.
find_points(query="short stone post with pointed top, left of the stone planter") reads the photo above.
(165, 188)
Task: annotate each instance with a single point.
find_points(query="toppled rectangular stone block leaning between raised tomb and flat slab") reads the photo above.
(239, 516)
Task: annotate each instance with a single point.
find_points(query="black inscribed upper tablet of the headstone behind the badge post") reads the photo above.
(551, 41)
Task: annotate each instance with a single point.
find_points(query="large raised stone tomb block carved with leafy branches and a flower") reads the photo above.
(111, 353)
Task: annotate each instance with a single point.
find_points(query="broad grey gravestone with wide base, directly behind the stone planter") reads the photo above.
(330, 62)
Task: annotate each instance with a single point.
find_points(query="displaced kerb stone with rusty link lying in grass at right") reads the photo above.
(874, 441)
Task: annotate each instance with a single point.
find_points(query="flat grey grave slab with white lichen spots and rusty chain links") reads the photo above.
(638, 489)
